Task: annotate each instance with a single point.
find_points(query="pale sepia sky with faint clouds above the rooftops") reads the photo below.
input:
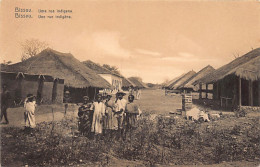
(154, 40)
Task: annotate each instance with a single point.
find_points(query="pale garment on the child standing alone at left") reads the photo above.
(29, 116)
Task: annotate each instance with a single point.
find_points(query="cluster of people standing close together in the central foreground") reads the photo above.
(108, 115)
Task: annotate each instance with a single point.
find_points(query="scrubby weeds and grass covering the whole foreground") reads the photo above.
(164, 141)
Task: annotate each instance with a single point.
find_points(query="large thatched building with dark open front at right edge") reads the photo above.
(238, 82)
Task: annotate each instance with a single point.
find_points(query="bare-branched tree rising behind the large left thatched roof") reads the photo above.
(32, 47)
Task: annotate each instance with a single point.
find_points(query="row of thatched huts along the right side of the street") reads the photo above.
(234, 84)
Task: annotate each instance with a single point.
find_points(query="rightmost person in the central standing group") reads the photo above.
(132, 111)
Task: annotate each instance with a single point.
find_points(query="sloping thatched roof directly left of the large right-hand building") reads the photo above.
(203, 72)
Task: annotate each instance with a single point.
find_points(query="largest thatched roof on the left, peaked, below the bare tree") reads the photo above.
(60, 65)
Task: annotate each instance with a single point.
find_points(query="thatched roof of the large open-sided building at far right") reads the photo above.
(246, 66)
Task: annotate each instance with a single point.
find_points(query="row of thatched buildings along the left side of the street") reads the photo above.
(51, 73)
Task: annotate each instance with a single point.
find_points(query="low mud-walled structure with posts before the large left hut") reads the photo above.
(46, 88)
